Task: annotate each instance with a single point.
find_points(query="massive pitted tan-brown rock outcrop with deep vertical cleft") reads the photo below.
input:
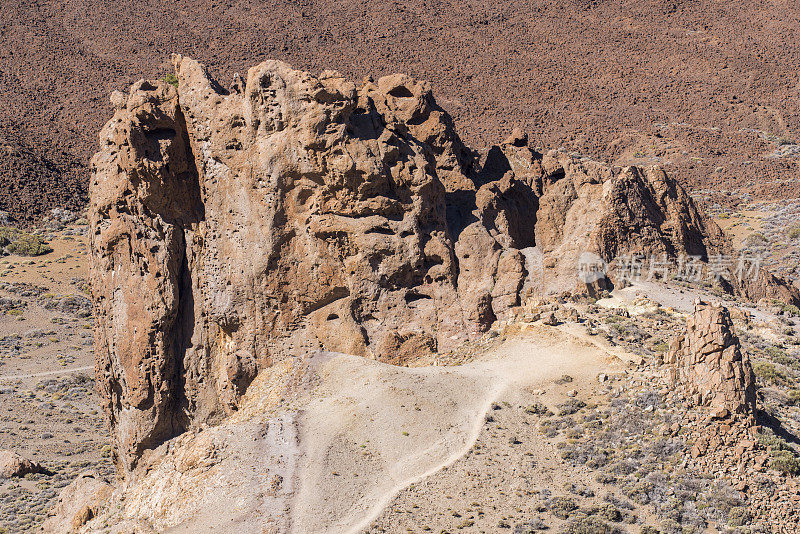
(235, 228)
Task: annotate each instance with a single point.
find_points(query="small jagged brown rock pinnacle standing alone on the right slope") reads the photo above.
(708, 364)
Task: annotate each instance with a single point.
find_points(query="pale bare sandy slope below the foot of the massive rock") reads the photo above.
(353, 434)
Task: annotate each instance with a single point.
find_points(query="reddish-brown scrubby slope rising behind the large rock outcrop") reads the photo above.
(709, 89)
